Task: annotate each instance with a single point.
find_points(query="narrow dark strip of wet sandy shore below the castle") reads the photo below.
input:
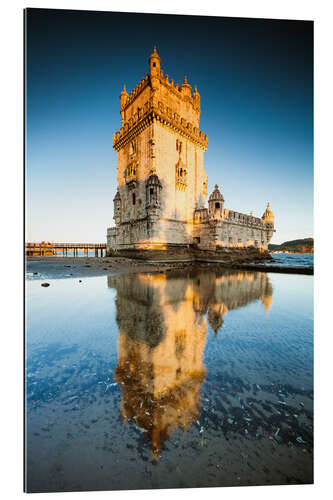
(79, 267)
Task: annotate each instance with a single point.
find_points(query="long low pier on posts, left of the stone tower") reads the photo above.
(46, 248)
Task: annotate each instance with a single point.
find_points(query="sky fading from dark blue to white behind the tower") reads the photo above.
(255, 78)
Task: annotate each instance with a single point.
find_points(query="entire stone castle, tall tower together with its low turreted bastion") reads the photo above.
(162, 186)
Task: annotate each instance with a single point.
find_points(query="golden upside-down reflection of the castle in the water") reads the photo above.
(162, 334)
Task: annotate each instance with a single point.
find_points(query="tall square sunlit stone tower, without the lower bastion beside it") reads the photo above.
(160, 163)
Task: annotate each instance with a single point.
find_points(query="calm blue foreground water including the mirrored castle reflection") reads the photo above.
(169, 380)
